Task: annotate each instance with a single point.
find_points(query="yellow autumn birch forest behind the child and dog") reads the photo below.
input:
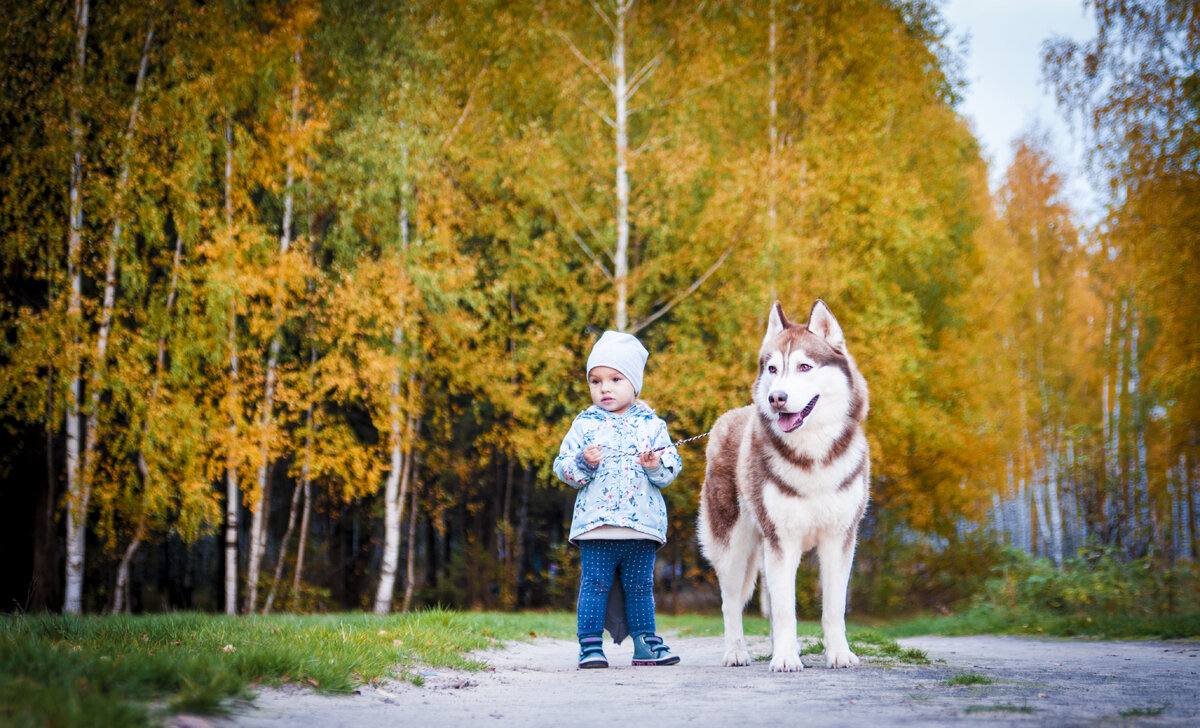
(297, 296)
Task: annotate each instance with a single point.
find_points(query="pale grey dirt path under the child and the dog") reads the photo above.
(1034, 683)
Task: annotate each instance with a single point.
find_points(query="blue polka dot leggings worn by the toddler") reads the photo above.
(599, 562)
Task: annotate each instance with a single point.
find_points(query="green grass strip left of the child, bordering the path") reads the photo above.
(106, 671)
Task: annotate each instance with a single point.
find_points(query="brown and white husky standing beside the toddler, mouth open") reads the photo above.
(785, 476)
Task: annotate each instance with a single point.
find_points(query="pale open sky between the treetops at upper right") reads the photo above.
(1006, 97)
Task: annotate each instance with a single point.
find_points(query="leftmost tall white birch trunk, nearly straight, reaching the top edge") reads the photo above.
(77, 496)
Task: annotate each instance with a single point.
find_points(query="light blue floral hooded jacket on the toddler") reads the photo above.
(619, 491)
